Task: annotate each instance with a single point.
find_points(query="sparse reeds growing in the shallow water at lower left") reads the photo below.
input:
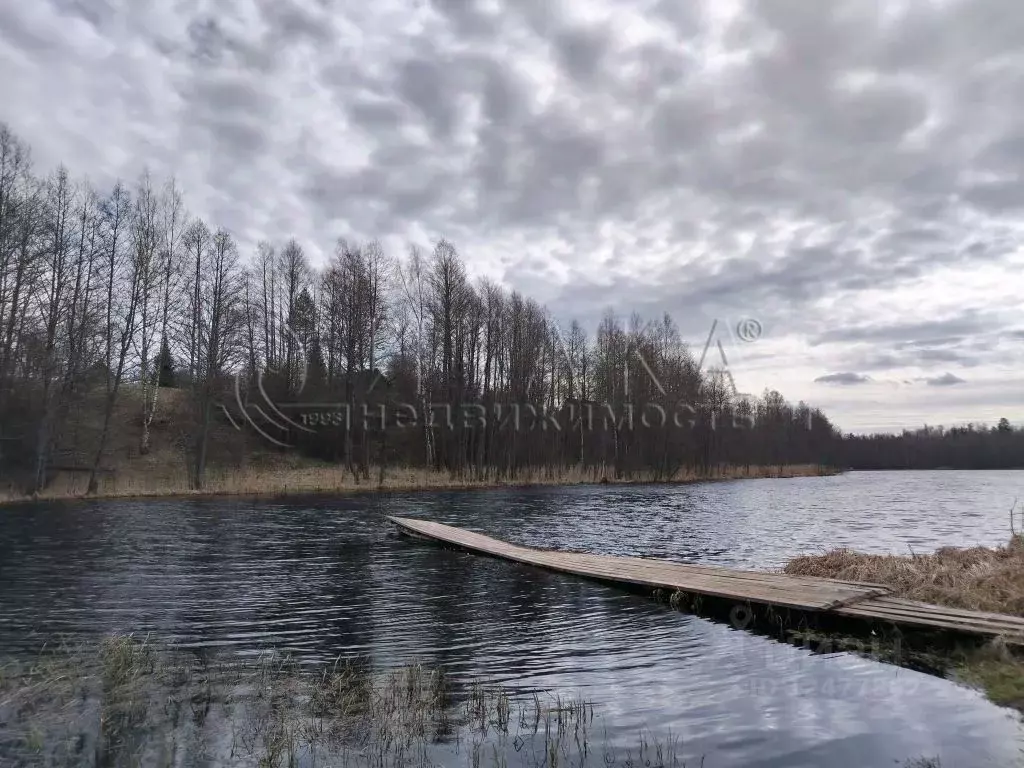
(130, 701)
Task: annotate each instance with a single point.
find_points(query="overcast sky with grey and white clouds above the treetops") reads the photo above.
(847, 173)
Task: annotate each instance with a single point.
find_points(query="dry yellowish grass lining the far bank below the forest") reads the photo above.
(163, 474)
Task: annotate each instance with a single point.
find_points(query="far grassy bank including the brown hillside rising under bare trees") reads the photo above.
(242, 463)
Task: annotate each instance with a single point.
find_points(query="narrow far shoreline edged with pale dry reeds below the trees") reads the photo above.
(313, 482)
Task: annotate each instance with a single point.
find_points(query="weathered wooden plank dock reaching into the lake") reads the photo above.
(856, 601)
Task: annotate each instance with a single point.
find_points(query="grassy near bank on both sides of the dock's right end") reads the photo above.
(976, 579)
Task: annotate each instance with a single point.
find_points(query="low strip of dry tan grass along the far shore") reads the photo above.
(335, 480)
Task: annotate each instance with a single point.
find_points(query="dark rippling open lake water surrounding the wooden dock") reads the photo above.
(328, 577)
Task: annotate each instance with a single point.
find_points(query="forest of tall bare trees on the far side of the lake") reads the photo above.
(370, 361)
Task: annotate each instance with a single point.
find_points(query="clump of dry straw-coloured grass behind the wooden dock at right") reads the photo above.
(976, 579)
